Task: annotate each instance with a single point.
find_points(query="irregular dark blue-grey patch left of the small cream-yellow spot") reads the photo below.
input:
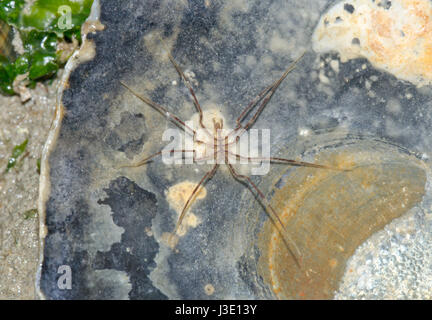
(133, 209)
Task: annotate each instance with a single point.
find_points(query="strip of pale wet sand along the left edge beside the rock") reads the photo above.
(19, 188)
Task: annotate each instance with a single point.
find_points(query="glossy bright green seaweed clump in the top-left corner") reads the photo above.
(41, 27)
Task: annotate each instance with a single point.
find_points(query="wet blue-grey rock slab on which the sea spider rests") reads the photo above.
(108, 223)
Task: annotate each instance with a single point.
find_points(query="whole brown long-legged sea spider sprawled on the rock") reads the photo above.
(219, 145)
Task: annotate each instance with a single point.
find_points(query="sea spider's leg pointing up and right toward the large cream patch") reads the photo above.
(265, 96)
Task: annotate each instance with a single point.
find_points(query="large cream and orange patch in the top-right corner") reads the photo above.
(394, 36)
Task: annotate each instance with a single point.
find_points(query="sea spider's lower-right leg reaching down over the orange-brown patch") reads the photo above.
(272, 214)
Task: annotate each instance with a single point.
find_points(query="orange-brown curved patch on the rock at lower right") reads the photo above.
(326, 210)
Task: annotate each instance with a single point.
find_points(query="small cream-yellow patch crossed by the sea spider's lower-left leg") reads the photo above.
(177, 196)
